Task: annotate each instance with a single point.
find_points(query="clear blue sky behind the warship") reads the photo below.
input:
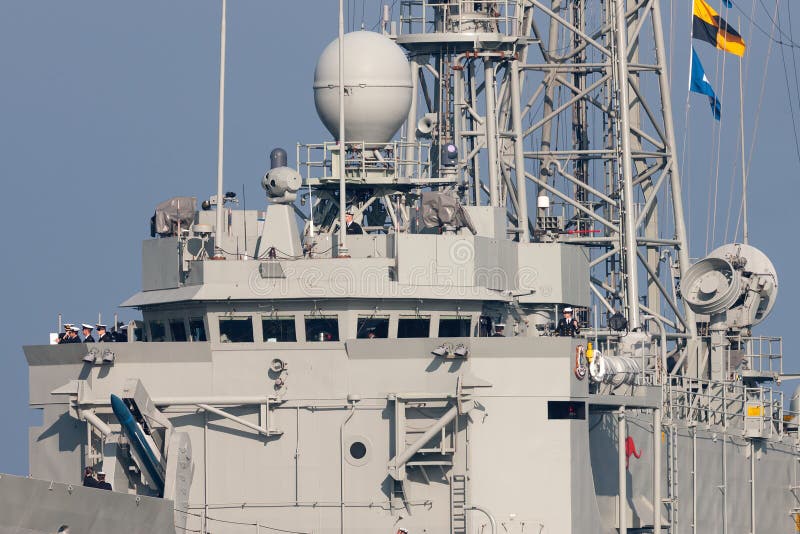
(109, 107)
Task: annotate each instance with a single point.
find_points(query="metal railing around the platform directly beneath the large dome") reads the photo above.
(364, 161)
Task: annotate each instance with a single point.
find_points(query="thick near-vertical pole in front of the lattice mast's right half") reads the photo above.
(629, 219)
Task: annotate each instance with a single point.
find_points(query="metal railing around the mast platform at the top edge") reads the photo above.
(460, 16)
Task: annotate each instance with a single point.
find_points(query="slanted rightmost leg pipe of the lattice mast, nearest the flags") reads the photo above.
(675, 181)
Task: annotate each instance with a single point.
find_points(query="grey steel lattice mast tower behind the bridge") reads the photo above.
(568, 100)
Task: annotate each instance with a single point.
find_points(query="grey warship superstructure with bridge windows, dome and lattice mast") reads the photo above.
(288, 376)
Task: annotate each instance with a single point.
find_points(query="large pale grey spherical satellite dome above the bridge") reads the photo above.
(377, 80)
